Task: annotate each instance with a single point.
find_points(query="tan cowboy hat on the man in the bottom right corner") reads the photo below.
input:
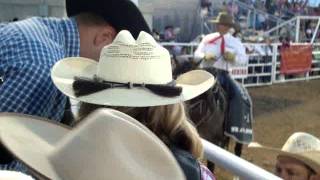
(301, 146)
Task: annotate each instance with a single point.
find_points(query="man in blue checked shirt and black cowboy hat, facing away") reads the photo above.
(31, 47)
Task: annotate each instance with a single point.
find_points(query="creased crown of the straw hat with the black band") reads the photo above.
(141, 55)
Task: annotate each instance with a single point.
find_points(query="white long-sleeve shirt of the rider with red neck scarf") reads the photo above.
(232, 45)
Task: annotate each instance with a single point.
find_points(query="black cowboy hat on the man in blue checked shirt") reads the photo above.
(121, 14)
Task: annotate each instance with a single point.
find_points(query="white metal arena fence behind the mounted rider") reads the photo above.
(263, 65)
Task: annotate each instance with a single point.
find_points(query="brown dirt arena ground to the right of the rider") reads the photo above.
(279, 111)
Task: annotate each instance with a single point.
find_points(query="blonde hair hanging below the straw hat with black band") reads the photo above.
(169, 122)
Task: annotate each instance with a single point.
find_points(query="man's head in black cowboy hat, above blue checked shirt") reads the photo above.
(100, 20)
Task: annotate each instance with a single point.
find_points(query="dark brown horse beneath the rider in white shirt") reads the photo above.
(208, 111)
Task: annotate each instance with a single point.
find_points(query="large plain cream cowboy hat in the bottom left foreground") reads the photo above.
(106, 145)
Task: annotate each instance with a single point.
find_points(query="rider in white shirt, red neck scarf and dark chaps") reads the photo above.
(218, 53)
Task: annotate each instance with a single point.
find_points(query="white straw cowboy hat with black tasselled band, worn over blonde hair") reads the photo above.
(130, 72)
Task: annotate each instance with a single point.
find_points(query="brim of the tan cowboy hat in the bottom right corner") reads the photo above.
(311, 158)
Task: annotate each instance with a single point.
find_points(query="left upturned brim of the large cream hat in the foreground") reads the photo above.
(31, 140)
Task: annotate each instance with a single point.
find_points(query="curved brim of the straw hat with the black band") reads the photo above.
(193, 83)
